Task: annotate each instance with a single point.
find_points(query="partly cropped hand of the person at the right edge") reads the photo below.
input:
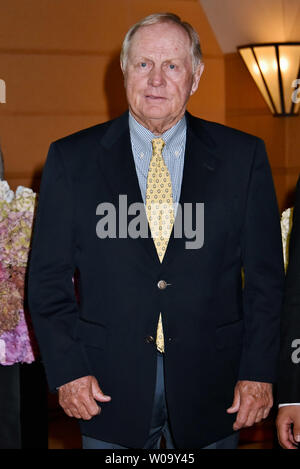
(288, 436)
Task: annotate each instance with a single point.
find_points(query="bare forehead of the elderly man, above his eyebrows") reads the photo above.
(160, 38)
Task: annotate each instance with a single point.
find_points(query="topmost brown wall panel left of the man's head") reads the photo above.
(83, 25)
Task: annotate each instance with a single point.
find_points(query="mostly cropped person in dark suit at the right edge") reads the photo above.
(288, 419)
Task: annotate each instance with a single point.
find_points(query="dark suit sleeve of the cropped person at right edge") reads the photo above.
(289, 371)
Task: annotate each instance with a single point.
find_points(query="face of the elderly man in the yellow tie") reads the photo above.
(159, 78)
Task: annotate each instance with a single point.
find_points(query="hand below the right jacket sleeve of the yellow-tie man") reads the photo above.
(252, 401)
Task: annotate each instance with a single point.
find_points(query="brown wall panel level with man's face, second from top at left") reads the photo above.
(52, 83)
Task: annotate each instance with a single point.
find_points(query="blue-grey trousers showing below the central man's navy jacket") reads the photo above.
(159, 424)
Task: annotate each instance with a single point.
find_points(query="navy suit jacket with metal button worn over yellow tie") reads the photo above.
(217, 331)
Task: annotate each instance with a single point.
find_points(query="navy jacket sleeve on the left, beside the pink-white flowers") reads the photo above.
(51, 296)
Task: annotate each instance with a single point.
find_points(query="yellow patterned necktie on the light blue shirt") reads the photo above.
(160, 211)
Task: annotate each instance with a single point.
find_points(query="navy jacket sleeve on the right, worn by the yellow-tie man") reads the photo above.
(262, 259)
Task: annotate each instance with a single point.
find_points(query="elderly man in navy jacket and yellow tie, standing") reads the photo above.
(164, 325)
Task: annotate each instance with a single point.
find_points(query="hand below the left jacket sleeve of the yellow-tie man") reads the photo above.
(78, 398)
